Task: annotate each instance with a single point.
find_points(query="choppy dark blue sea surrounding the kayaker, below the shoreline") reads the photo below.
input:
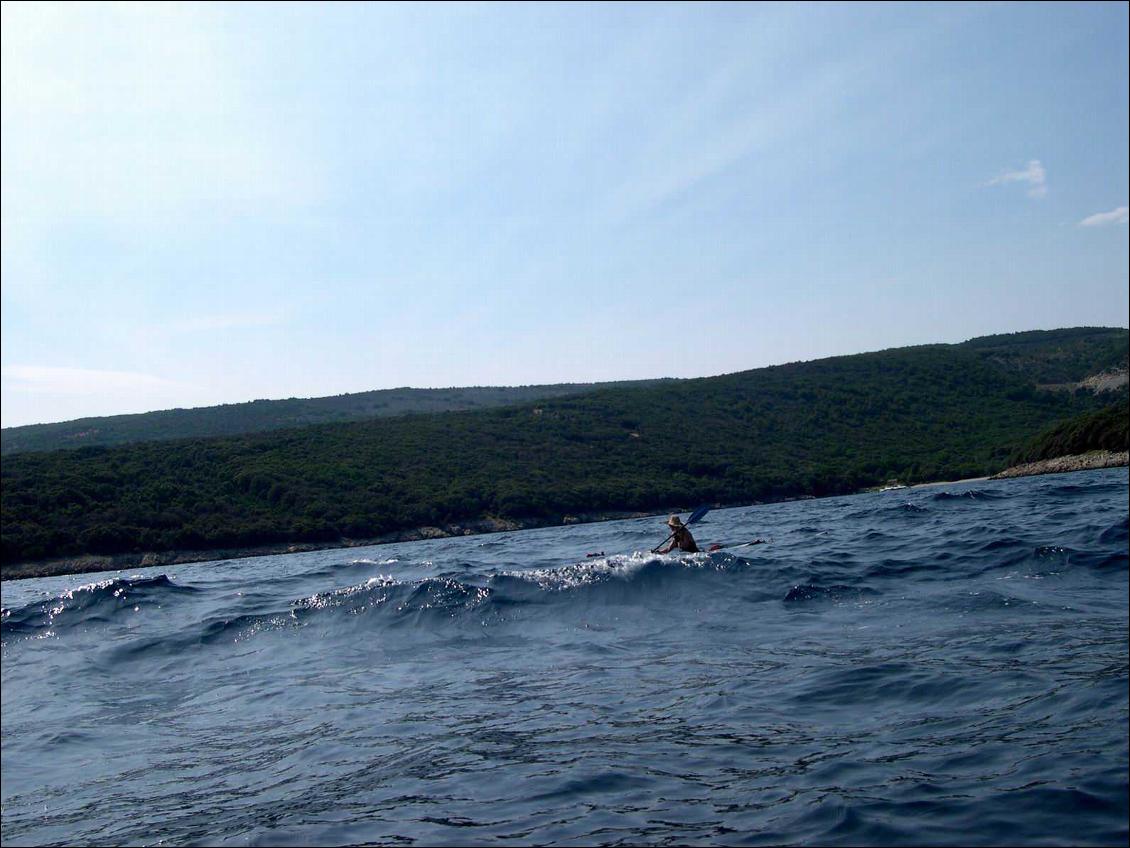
(933, 667)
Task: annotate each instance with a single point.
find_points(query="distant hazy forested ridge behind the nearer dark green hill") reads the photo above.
(257, 417)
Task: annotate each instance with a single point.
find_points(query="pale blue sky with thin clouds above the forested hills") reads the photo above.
(208, 204)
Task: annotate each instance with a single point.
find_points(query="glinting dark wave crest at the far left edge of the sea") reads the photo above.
(98, 603)
